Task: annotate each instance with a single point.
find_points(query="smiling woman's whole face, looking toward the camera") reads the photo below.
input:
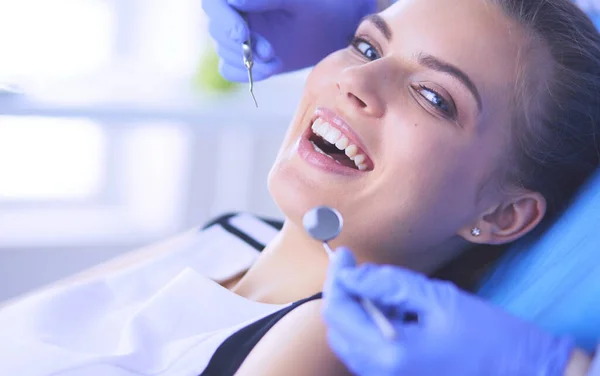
(421, 101)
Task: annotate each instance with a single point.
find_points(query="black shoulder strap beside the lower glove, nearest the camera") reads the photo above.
(232, 353)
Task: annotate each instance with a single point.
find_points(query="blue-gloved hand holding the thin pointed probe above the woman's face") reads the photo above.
(287, 35)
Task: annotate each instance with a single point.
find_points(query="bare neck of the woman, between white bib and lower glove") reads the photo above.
(291, 267)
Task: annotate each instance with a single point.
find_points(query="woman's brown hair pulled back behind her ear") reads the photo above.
(555, 127)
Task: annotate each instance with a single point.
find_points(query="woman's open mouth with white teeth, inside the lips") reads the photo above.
(330, 141)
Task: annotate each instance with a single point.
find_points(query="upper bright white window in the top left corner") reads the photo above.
(54, 39)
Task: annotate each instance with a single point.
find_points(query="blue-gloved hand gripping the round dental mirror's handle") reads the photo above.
(456, 334)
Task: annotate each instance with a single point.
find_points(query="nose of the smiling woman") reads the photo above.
(360, 88)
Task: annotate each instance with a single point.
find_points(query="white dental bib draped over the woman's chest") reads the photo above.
(164, 317)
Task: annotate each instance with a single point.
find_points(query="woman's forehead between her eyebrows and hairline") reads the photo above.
(473, 35)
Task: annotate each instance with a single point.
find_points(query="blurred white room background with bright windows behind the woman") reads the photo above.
(110, 146)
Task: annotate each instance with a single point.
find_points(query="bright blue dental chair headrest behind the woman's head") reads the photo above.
(555, 281)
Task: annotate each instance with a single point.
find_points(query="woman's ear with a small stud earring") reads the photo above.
(508, 221)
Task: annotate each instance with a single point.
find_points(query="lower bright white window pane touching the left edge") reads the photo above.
(50, 158)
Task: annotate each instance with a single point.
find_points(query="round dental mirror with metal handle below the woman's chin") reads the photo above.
(325, 224)
